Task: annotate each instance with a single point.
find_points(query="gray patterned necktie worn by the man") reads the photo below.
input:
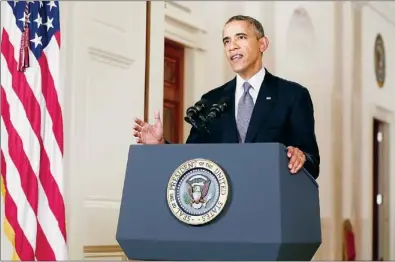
(244, 112)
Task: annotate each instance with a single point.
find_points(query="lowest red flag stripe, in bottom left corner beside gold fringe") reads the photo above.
(22, 245)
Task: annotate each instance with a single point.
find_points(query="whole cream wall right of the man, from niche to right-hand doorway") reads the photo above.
(326, 52)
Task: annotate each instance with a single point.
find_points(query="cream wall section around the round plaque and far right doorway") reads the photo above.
(379, 103)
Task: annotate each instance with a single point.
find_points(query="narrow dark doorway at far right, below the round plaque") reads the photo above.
(381, 197)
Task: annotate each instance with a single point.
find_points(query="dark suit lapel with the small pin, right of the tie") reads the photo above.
(266, 99)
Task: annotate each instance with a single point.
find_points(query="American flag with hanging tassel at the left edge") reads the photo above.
(32, 131)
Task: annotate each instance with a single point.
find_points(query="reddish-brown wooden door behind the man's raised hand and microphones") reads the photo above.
(173, 92)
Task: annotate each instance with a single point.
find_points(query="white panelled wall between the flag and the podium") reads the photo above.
(104, 45)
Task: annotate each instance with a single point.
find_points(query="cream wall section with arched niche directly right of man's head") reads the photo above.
(305, 53)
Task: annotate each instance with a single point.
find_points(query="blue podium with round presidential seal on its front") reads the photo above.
(217, 202)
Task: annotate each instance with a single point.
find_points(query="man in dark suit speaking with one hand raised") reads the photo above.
(262, 108)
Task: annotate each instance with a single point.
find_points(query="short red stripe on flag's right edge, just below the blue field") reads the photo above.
(51, 98)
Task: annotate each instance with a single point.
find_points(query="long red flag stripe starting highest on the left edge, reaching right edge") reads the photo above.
(32, 108)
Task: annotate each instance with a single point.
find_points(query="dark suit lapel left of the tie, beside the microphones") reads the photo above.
(229, 134)
